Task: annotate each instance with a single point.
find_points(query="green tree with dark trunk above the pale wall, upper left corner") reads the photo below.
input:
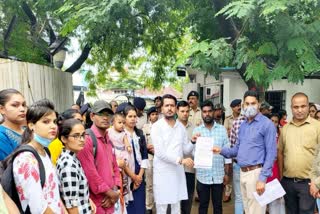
(30, 31)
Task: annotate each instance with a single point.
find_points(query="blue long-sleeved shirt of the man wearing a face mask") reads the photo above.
(255, 145)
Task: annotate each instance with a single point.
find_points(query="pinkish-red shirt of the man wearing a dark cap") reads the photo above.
(103, 172)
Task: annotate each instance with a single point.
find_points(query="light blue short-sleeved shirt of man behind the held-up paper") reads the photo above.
(219, 136)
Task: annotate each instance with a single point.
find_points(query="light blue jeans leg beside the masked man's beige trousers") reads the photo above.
(238, 205)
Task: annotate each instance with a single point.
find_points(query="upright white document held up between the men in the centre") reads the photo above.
(203, 153)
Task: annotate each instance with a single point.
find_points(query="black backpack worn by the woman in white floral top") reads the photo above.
(7, 180)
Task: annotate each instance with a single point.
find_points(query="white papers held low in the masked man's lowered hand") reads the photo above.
(273, 191)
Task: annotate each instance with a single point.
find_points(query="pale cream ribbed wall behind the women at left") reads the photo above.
(44, 81)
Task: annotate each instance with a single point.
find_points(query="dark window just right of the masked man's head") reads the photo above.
(277, 99)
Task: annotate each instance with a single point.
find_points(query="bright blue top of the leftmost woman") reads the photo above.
(9, 140)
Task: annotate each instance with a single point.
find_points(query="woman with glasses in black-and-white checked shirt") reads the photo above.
(73, 182)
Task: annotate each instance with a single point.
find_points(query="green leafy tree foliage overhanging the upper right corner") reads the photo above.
(264, 40)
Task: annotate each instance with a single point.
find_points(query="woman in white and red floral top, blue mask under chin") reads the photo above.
(40, 132)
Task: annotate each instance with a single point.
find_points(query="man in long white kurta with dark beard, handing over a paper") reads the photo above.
(171, 143)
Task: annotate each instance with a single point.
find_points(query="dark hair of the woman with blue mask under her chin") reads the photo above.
(34, 113)
